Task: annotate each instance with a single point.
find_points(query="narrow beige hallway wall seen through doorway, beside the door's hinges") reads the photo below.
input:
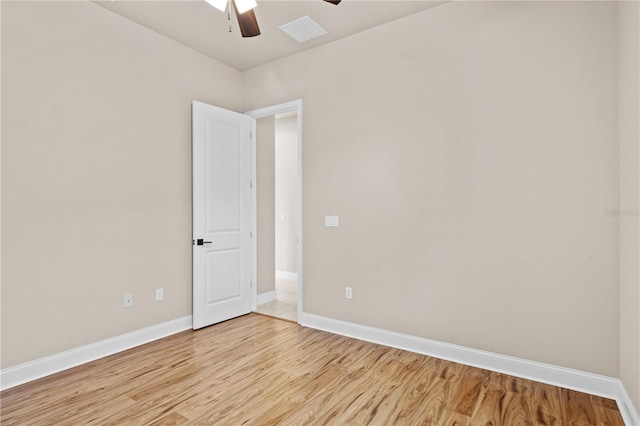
(265, 187)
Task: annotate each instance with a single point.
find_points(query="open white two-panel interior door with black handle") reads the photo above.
(221, 214)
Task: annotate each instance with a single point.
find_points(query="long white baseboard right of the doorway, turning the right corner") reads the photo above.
(594, 384)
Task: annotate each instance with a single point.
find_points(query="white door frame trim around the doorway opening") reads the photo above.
(266, 112)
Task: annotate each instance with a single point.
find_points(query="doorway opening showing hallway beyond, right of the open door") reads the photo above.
(278, 177)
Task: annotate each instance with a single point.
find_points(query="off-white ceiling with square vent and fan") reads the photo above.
(200, 26)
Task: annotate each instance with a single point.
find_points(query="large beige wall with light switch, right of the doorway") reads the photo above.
(470, 152)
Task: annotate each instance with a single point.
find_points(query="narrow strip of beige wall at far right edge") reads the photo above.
(629, 164)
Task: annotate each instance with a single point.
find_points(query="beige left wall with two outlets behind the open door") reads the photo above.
(96, 174)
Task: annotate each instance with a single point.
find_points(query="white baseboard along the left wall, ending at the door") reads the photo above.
(32, 370)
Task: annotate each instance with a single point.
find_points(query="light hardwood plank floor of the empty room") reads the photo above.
(263, 371)
